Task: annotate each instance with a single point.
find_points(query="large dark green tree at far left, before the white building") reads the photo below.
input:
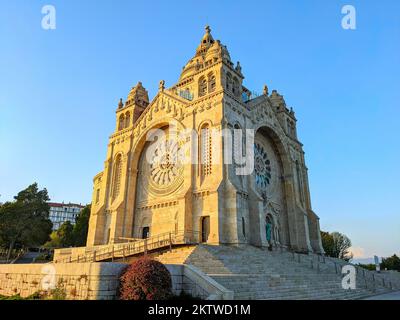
(25, 221)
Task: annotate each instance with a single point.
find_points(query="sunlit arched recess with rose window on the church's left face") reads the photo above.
(160, 174)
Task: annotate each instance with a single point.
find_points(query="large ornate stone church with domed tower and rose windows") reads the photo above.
(146, 190)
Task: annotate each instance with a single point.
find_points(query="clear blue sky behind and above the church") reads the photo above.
(59, 90)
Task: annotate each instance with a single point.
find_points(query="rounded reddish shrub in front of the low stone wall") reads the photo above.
(145, 279)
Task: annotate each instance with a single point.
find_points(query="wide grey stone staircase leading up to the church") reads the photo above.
(256, 273)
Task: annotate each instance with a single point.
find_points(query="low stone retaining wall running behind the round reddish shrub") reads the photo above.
(97, 281)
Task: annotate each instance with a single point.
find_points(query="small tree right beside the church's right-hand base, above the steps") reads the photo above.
(336, 245)
